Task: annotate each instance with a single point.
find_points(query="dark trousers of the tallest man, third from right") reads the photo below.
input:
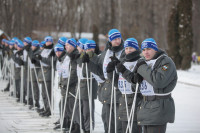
(106, 116)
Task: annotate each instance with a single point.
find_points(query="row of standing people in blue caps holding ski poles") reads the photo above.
(128, 85)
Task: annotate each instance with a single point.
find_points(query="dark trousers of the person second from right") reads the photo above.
(135, 127)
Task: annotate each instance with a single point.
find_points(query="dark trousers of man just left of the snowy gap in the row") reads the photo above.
(44, 95)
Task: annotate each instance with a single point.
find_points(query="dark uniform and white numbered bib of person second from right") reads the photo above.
(128, 89)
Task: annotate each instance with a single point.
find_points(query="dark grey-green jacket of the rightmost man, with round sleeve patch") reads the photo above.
(163, 78)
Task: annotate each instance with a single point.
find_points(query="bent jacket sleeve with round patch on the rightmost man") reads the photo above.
(161, 75)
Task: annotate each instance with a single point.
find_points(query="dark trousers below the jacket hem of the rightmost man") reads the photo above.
(155, 128)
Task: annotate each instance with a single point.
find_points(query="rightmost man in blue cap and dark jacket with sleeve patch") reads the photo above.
(157, 76)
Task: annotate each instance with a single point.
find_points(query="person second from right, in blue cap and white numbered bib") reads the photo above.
(124, 68)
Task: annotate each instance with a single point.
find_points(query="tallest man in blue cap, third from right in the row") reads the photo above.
(100, 67)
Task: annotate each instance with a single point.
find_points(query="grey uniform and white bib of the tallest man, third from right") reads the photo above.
(104, 93)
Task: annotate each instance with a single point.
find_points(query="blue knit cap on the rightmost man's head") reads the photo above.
(149, 43)
